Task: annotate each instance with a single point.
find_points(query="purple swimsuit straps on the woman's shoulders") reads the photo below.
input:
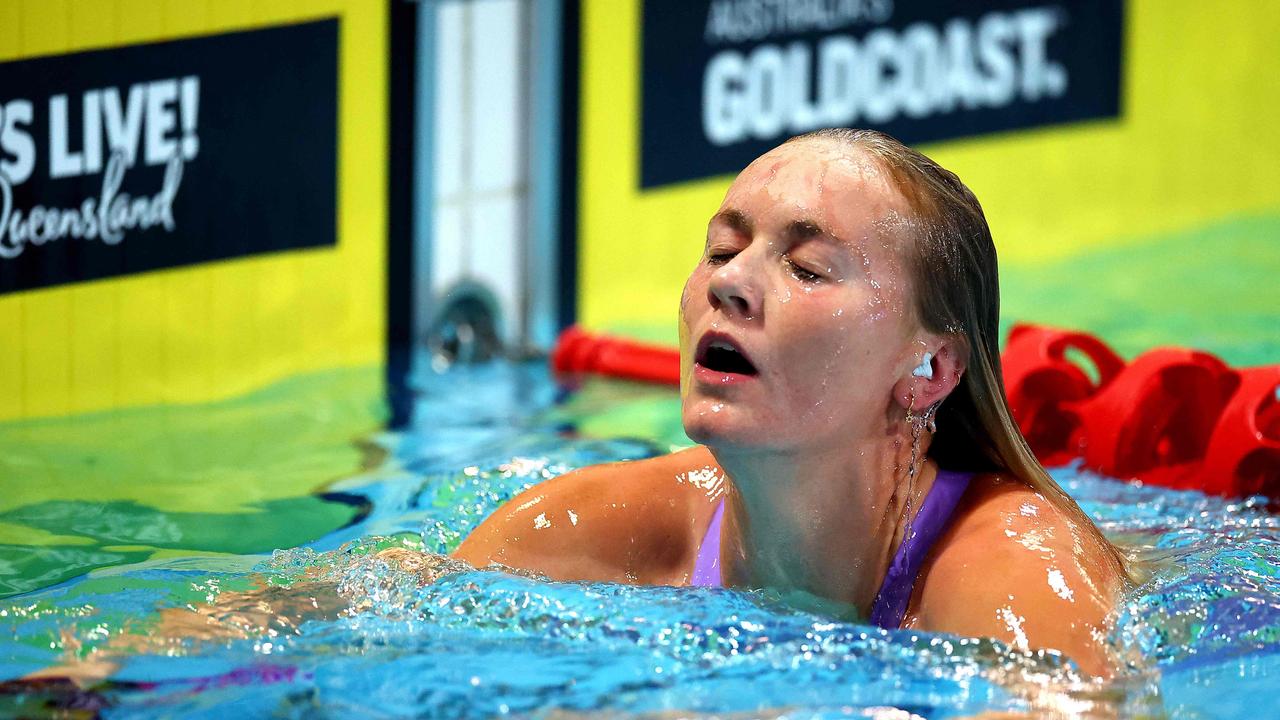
(895, 593)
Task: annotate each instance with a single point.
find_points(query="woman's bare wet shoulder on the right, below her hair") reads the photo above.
(1023, 568)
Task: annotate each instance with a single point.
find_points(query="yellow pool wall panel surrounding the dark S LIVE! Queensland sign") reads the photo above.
(220, 329)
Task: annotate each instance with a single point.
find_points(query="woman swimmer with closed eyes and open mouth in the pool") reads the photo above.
(840, 368)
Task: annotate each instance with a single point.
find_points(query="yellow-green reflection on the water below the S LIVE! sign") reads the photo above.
(108, 489)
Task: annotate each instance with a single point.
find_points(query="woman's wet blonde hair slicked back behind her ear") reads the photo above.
(957, 284)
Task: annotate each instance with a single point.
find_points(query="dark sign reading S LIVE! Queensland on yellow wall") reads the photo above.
(148, 157)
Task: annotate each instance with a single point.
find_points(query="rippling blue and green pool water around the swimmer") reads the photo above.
(193, 616)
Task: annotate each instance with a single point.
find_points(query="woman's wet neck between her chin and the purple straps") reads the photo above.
(821, 521)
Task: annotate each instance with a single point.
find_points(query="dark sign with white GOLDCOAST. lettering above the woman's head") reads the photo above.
(728, 80)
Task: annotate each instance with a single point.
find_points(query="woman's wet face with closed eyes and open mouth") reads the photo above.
(799, 318)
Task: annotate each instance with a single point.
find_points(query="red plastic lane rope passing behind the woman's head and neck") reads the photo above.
(1174, 418)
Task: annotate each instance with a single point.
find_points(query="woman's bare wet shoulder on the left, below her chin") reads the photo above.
(623, 522)
